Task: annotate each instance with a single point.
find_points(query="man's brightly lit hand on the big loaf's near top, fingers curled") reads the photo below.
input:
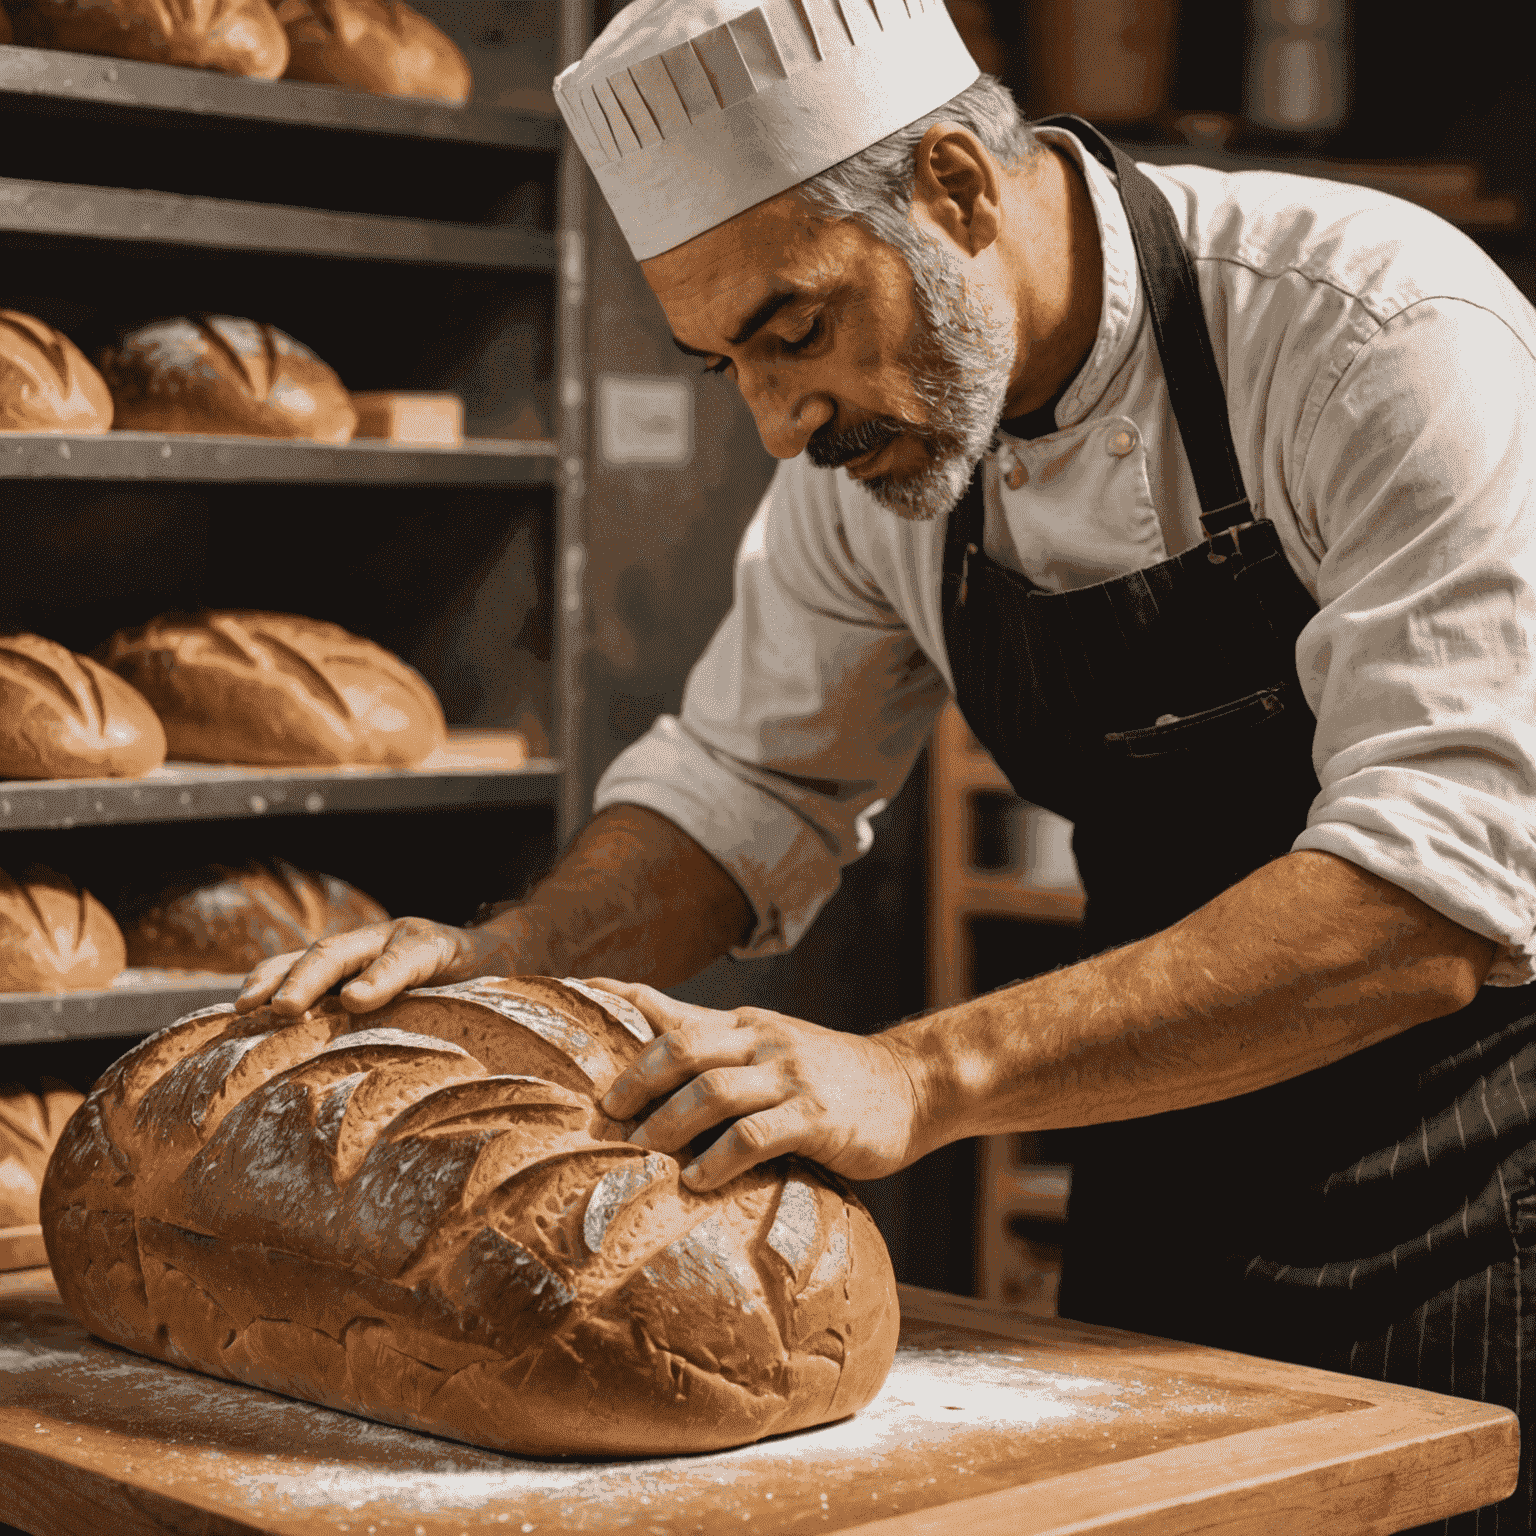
(844, 1101)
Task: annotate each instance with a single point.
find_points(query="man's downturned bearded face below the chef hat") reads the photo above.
(844, 349)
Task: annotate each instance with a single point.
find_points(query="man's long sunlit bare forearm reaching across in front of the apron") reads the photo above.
(1305, 962)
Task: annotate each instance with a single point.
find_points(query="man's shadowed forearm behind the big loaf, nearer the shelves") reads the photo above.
(634, 898)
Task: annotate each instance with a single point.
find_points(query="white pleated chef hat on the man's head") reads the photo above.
(692, 111)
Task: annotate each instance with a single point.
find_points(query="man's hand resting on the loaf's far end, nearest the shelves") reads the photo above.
(409, 952)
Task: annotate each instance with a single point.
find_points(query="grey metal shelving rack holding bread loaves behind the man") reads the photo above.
(90, 225)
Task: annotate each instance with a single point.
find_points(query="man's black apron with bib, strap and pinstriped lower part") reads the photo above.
(1377, 1216)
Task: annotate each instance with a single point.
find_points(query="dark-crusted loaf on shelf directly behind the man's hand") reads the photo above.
(225, 919)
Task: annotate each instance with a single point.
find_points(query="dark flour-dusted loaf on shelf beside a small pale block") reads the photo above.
(222, 376)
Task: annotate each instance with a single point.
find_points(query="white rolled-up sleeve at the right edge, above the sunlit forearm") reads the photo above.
(1420, 485)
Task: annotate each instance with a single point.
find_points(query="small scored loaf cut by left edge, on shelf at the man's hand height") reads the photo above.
(53, 938)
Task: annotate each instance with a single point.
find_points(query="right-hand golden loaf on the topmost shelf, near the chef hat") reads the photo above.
(374, 45)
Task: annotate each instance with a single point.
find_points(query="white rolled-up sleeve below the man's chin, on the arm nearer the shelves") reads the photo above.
(803, 718)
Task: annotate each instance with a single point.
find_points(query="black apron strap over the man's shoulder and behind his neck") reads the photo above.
(1179, 323)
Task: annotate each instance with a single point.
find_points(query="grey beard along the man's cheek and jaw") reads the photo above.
(961, 368)
